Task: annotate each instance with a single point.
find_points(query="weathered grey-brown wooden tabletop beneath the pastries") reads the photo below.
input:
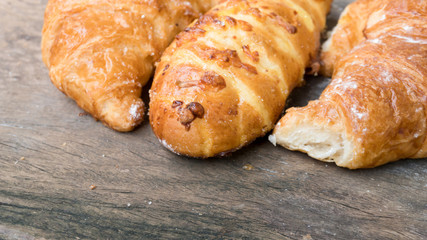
(50, 156)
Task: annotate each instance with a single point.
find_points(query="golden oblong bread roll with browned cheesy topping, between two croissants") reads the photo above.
(223, 82)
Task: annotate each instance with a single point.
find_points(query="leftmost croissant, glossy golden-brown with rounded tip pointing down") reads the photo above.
(102, 52)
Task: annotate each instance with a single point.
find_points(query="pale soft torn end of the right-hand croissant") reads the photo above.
(319, 142)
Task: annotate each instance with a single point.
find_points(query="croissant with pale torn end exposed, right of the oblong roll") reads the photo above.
(375, 109)
